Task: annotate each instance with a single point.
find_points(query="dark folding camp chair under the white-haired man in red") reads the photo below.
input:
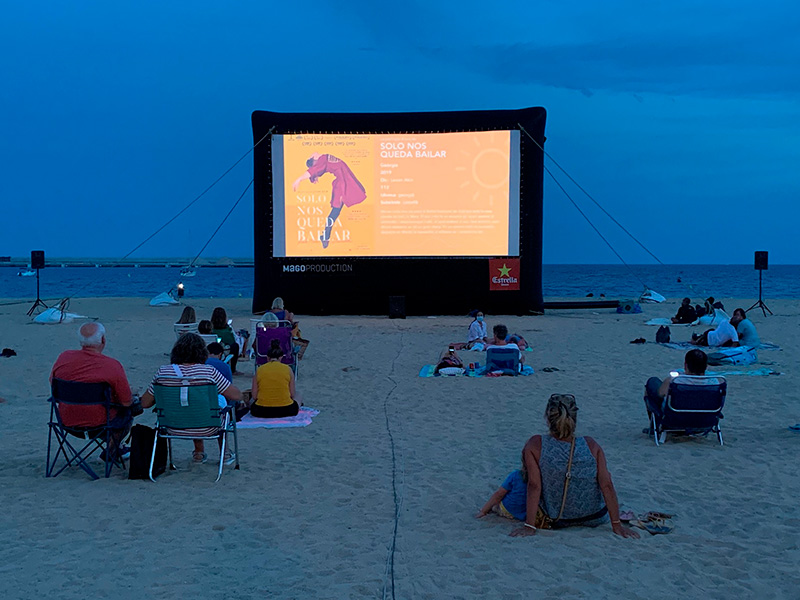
(92, 438)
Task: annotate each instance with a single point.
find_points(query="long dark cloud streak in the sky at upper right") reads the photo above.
(721, 65)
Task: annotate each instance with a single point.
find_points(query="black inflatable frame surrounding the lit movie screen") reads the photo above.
(436, 285)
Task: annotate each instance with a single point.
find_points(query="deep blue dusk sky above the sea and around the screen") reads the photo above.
(683, 121)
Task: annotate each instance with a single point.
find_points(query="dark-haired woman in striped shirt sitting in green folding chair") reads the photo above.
(188, 358)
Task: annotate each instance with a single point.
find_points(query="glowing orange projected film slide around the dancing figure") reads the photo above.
(427, 195)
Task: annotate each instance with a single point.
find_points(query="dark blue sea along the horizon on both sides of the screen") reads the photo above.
(577, 281)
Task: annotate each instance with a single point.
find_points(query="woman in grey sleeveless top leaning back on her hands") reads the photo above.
(590, 498)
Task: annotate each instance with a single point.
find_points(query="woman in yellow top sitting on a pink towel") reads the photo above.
(273, 387)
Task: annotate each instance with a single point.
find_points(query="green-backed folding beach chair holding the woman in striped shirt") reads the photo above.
(192, 413)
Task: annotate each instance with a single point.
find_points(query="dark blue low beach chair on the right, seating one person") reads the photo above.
(691, 408)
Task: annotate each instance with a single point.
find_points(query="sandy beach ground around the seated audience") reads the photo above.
(311, 512)
